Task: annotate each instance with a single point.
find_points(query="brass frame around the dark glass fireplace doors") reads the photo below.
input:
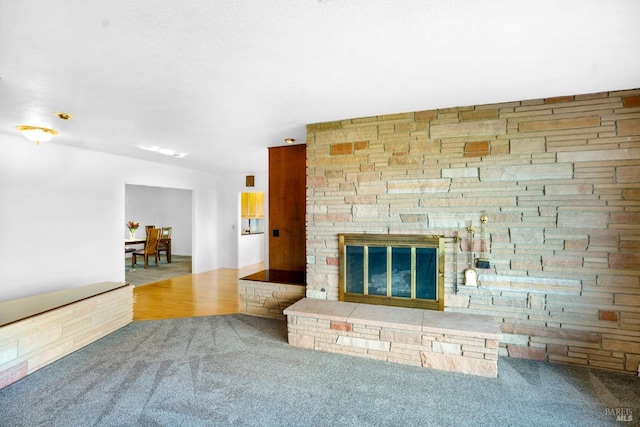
(395, 241)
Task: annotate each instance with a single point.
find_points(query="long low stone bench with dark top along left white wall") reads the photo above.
(38, 330)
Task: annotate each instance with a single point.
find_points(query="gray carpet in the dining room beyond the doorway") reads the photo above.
(179, 266)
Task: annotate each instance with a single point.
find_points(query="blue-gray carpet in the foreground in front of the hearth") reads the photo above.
(238, 370)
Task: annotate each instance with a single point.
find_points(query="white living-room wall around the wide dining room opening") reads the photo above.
(62, 215)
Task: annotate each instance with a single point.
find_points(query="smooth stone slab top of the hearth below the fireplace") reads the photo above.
(475, 325)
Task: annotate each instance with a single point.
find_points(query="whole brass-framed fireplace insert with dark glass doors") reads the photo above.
(392, 269)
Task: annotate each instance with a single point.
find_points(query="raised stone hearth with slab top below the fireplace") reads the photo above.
(458, 342)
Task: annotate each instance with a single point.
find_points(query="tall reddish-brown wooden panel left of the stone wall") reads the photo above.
(287, 208)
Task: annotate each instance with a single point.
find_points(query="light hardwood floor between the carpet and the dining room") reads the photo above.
(204, 294)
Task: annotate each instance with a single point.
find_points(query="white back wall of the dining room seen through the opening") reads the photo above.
(161, 207)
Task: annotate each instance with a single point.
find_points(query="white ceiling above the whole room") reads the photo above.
(221, 80)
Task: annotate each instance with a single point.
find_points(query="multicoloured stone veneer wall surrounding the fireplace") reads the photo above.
(559, 179)
